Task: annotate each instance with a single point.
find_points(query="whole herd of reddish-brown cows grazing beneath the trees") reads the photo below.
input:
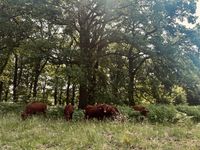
(97, 111)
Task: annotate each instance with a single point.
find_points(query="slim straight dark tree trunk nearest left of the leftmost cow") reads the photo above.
(15, 97)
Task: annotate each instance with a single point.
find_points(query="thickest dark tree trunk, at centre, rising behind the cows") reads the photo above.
(91, 42)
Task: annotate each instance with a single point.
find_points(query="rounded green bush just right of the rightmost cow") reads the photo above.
(162, 113)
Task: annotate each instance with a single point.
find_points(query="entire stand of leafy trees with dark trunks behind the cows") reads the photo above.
(87, 51)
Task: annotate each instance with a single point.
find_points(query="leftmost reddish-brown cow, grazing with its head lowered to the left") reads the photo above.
(34, 108)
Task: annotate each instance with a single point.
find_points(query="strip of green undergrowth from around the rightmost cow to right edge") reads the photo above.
(164, 114)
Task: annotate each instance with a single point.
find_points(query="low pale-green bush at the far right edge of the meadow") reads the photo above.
(193, 111)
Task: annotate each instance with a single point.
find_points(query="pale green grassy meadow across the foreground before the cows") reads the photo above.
(54, 132)
